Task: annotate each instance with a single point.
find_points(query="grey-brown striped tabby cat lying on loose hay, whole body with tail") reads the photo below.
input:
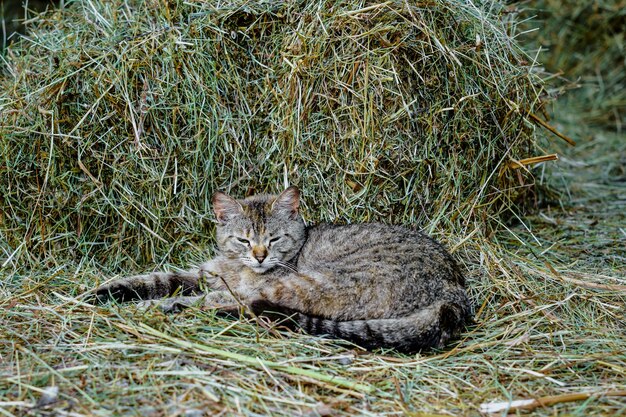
(376, 285)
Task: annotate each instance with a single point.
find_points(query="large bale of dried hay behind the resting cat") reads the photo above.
(121, 118)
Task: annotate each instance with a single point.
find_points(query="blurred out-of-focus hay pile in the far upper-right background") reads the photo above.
(584, 41)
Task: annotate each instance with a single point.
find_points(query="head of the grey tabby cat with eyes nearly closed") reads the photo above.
(261, 231)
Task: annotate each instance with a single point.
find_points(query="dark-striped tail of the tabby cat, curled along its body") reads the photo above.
(430, 327)
